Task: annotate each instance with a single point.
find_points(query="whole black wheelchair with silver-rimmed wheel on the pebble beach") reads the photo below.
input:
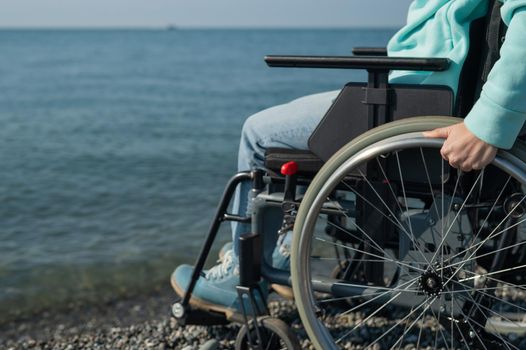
(387, 234)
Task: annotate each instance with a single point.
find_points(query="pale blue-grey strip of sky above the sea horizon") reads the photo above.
(203, 13)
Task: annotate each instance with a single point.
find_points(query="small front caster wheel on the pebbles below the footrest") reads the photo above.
(275, 334)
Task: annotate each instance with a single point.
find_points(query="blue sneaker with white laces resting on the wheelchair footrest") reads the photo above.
(216, 289)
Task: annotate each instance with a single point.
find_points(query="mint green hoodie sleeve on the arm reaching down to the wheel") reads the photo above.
(498, 115)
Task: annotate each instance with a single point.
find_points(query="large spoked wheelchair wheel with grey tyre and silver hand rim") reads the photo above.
(441, 259)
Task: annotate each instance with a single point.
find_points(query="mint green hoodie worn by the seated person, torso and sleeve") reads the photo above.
(440, 28)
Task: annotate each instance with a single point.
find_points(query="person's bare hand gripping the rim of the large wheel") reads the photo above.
(462, 149)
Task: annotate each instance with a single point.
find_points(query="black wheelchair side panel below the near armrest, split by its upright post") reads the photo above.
(347, 117)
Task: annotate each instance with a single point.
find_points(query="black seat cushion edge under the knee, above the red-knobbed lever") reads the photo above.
(308, 163)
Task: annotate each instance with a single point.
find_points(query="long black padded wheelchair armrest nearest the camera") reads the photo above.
(361, 62)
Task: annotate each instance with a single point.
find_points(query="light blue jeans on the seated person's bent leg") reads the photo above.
(286, 126)
